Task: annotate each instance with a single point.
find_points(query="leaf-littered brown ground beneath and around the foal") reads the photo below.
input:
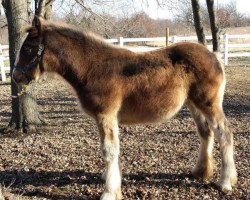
(63, 161)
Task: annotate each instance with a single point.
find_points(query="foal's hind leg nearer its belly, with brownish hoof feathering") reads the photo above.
(204, 166)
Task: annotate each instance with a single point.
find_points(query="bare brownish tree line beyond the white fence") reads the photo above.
(139, 24)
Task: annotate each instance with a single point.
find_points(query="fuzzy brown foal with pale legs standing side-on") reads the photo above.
(115, 85)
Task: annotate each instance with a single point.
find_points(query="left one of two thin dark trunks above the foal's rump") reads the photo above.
(197, 22)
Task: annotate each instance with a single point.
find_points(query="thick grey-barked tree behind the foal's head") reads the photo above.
(25, 116)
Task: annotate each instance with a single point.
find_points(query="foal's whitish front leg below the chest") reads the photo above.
(109, 133)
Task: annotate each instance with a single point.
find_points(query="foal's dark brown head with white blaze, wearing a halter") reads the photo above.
(29, 65)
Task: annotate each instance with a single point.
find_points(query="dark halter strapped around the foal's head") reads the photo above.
(33, 63)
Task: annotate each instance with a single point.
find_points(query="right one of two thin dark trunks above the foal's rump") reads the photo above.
(214, 25)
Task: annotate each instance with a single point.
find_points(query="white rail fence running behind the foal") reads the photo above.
(225, 47)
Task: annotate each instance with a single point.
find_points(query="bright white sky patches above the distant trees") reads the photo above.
(155, 12)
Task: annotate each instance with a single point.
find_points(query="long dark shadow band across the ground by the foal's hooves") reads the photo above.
(20, 179)
